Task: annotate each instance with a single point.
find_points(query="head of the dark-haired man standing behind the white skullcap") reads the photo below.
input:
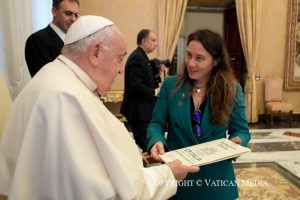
(65, 15)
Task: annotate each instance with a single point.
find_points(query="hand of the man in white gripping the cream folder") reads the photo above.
(180, 171)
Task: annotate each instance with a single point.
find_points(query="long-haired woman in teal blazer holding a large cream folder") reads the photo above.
(201, 104)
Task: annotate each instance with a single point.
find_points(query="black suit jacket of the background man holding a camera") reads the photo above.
(139, 92)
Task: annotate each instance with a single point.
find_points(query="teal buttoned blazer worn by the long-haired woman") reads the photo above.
(172, 115)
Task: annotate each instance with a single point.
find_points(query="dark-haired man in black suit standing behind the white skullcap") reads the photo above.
(45, 45)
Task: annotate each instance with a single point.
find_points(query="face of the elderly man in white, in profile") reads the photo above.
(112, 62)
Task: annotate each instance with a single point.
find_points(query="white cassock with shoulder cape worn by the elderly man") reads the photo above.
(60, 142)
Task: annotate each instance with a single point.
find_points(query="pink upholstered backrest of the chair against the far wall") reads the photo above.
(273, 88)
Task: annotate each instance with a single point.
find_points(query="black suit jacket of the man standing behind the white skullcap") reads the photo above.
(41, 48)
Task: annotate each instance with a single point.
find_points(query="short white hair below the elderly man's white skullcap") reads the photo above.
(103, 36)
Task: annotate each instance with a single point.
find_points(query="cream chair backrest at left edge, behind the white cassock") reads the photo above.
(5, 103)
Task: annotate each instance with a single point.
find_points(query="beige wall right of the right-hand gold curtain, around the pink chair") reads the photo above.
(272, 49)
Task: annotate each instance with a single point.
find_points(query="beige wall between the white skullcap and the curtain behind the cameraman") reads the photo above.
(129, 15)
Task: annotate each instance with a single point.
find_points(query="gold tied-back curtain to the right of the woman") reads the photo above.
(249, 20)
